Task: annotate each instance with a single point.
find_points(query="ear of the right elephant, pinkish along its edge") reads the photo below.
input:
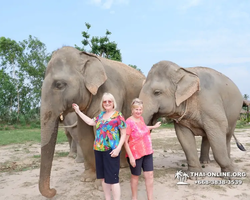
(187, 84)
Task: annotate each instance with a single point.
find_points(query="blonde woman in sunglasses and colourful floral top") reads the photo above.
(109, 138)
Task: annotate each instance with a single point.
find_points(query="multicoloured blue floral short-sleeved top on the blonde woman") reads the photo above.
(107, 131)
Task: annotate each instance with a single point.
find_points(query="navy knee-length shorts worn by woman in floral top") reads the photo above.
(107, 167)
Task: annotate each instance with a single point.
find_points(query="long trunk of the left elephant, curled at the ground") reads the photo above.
(49, 132)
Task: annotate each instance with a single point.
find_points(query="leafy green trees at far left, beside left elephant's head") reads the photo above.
(23, 66)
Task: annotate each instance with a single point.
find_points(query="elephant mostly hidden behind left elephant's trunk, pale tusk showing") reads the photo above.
(70, 127)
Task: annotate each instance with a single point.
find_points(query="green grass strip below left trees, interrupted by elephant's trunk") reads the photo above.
(20, 136)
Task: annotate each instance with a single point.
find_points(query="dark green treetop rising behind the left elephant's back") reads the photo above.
(100, 46)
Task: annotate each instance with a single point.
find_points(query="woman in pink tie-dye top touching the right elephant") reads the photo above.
(139, 149)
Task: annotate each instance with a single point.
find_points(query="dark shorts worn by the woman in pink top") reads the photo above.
(145, 163)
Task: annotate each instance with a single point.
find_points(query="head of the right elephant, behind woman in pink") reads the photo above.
(166, 89)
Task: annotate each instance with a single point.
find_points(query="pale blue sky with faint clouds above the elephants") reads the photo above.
(209, 33)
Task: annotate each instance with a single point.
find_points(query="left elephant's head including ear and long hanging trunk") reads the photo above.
(71, 77)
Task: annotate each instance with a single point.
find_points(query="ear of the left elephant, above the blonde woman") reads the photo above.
(93, 72)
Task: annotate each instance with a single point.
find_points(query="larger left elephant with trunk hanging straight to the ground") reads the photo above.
(74, 76)
